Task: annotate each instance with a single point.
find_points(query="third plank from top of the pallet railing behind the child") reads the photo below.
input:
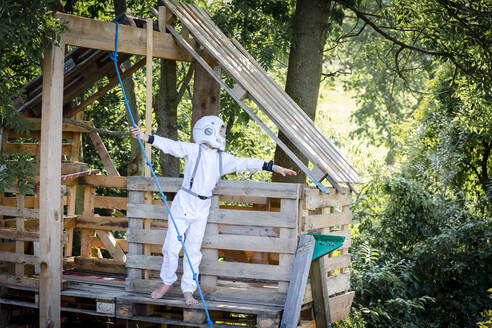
(214, 241)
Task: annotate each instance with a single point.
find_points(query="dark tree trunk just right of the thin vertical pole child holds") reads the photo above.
(166, 111)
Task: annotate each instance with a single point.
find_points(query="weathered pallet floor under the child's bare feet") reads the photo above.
(105, 296)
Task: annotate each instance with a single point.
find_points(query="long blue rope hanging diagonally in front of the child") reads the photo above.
(114, 57)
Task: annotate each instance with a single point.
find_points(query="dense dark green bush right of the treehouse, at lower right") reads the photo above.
(418, 260)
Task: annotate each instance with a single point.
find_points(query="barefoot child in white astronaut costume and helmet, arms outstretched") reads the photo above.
(206, 162)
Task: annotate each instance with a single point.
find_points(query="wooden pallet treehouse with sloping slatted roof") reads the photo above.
(257, 267)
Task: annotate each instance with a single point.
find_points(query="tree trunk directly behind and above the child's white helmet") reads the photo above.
(206, 95)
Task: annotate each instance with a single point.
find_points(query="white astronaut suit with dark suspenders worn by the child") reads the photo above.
(190, 212)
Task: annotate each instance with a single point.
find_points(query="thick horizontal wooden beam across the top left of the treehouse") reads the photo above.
(88, 33)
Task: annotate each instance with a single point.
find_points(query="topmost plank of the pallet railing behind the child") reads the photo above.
(224, 187)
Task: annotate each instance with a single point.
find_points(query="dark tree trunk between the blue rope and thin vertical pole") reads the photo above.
(136, 166)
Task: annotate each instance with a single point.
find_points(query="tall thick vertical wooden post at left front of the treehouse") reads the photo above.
(50, 217)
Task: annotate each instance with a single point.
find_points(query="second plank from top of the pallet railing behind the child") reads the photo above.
(221, 216)
